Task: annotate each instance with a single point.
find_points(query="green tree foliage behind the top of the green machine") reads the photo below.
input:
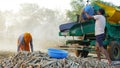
(77, 6)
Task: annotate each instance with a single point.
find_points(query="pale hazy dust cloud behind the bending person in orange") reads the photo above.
(42, 23)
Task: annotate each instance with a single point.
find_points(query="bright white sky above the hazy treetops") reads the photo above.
(51, 4)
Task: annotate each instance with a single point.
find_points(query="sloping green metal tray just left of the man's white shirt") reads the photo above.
(82, 28)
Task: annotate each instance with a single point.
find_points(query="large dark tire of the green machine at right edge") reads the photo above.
(114, 50)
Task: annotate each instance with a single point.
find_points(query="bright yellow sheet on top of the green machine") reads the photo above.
(112, 13)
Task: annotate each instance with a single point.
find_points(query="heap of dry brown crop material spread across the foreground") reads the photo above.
(42, 60)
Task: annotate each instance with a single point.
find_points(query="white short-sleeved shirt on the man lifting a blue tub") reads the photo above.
(99, 24)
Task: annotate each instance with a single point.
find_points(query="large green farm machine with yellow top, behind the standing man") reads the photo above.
(85, 30)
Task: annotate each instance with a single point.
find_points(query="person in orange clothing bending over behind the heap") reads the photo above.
(23, 42)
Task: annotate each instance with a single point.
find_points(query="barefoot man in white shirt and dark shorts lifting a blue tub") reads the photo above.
(100, 22)
